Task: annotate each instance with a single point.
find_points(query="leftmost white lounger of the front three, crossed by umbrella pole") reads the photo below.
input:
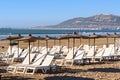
(12, 68)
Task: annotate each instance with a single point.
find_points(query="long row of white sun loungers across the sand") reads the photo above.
(46, 59)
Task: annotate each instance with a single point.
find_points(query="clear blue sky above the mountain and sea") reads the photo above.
(30, 13)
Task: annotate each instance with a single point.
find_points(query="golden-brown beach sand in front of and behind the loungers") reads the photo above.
(100, 71)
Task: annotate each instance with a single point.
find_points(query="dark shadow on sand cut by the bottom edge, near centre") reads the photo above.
(66, 78)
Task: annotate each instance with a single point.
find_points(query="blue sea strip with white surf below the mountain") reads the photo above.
(4, 32)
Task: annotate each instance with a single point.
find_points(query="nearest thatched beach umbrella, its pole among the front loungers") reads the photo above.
(28, 39)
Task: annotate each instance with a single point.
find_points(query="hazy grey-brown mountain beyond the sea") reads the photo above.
(100, 21)
